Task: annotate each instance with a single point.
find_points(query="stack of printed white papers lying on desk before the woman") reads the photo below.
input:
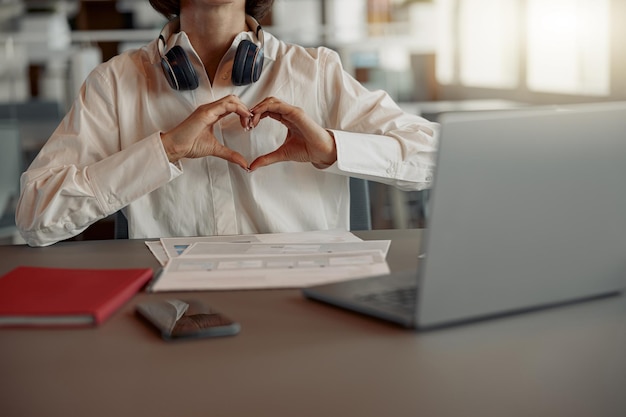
(279, 260)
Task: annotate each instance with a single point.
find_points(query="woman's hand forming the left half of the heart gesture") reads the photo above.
(194, 137)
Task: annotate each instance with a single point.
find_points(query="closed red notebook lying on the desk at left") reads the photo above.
(36, 296)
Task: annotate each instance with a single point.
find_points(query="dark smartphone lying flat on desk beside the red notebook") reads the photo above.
(186, 319)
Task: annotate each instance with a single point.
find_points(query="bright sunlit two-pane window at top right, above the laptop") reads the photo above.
(554, 46)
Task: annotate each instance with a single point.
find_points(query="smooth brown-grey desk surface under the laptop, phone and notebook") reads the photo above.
(295, 357)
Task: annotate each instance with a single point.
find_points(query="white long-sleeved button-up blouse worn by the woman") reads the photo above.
(107, 153)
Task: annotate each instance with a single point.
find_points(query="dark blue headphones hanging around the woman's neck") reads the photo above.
(247, 65)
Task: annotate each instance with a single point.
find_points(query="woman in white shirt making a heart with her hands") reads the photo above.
(273, 154)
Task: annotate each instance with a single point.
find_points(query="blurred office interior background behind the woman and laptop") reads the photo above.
(431, 56)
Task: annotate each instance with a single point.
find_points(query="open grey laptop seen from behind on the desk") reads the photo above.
(527, 211)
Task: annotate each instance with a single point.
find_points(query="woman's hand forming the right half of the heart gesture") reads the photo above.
(306, 141)
